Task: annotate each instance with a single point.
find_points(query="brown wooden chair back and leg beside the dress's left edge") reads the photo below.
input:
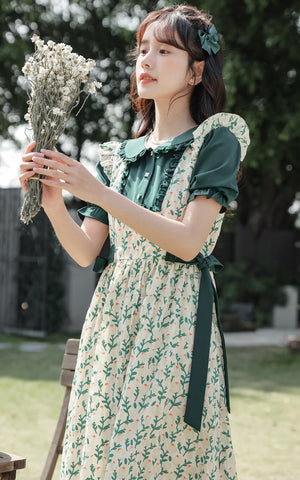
(66, 379)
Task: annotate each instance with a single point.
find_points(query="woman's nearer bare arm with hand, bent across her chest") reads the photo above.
(183, 239)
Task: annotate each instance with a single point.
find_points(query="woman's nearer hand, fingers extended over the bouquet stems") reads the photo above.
(65, 173)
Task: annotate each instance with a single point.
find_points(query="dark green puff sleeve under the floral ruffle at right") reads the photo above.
(215, 172)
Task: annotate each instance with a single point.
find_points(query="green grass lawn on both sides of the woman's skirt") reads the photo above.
(265, 399)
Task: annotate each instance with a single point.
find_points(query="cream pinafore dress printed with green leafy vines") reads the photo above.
(129, 396)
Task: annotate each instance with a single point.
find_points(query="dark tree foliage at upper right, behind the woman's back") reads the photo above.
(261, 72)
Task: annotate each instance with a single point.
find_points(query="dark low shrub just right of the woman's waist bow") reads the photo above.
(254, 283)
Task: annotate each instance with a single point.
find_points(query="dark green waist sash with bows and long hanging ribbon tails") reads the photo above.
(200, 355)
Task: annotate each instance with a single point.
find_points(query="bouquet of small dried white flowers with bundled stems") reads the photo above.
(56, 77)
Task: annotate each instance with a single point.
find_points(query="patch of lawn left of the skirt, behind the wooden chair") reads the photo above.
(30, 401)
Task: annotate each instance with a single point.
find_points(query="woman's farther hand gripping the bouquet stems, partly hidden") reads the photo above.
(51, 196)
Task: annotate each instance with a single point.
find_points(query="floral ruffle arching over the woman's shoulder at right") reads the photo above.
(233, 122)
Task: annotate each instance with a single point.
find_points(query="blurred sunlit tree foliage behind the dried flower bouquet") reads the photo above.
(96, 30)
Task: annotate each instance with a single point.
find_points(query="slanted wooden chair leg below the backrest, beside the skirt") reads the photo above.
(56, 445)
